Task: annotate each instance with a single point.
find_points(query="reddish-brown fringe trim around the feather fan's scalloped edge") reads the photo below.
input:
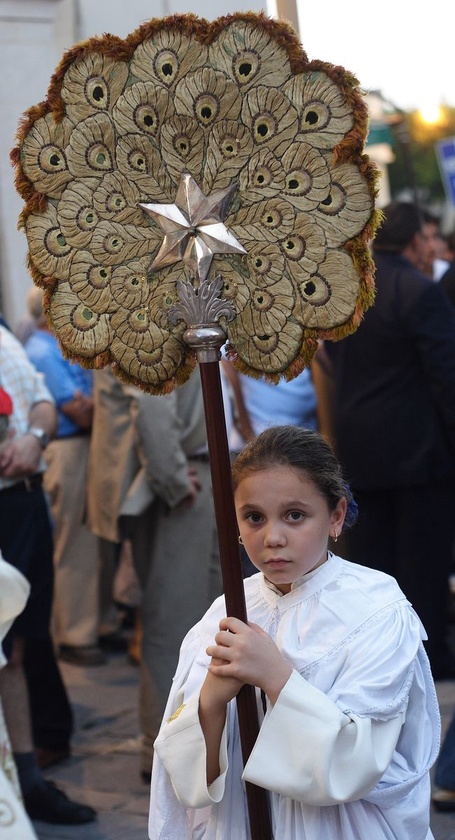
(351, 149)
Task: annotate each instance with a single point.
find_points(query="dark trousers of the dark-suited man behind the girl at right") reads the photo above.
(409, 533)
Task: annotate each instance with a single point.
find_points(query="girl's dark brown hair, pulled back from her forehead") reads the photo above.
(299, 449)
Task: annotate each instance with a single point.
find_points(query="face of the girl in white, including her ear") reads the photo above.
(285, 523)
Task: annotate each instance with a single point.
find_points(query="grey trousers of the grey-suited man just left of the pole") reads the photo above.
(177, 559)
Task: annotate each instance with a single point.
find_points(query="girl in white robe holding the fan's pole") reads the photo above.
(351, 727)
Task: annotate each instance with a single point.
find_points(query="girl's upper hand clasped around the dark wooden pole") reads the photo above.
(247, 654)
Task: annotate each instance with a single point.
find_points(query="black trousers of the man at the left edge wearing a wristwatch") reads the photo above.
(26, 543)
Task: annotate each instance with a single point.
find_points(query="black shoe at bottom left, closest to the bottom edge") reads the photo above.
(48, 803)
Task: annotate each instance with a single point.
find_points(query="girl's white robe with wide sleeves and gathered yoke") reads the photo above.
(346, 749)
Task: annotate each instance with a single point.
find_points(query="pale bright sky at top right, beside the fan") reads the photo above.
(403, 49)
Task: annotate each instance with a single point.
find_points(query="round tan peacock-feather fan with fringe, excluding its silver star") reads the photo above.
(232, 103)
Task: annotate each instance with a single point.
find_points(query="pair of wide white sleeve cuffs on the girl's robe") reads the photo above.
(307, 750)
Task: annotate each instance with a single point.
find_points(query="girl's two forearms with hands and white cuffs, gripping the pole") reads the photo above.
(307, 748)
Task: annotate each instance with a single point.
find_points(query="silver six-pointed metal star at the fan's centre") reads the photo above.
(193, 227)
